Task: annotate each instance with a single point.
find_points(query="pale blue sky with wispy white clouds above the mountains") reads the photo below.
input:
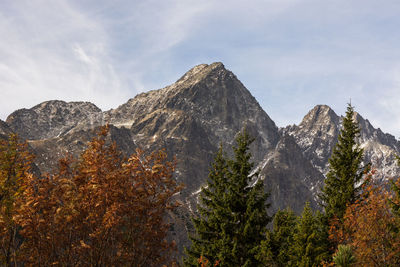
(291, 55)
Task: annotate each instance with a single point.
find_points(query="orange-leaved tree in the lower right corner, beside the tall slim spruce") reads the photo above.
(368, 227)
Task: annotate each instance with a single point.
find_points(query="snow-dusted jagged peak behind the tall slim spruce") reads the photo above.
(317, 135)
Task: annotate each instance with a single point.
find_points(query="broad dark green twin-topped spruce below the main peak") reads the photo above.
(233, 213)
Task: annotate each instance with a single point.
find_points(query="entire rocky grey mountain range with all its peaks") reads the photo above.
(206, 107)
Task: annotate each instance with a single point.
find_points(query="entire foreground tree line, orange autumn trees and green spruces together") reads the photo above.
(105, 209)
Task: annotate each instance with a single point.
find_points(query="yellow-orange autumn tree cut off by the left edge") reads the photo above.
(15, 164)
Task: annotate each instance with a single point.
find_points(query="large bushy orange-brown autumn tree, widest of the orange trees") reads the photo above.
(103, 210)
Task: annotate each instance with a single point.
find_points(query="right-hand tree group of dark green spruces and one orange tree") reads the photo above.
(358, 222)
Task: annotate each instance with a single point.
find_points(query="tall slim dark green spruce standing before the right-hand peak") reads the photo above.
(345, 172)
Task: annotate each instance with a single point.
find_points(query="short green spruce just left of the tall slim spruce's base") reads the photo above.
(309, 247)
